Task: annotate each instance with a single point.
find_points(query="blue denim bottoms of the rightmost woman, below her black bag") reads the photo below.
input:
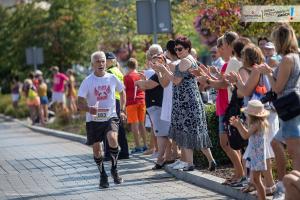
(288, 129)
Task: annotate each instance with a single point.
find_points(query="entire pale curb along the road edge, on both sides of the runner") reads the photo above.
(195, 177)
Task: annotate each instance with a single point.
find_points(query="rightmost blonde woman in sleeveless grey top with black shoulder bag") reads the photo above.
(285, 82)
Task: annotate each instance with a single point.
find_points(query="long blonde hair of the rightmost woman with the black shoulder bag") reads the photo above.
(285, 39)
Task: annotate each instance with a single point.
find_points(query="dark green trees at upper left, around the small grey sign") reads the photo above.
(66, 32)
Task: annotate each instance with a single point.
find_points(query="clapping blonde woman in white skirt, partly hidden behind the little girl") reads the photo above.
(251, 85)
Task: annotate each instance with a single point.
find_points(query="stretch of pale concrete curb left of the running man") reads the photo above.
(47, 131)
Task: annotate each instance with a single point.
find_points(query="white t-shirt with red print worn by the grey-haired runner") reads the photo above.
(100, 92)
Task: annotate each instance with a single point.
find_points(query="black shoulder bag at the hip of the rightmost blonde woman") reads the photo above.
(288, 106)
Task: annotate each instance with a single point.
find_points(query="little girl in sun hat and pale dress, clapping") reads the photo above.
(256, 131)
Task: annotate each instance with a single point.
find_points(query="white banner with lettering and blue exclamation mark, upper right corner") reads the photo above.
(273, 13)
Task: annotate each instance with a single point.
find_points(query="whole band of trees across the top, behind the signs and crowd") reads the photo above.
(70, 30)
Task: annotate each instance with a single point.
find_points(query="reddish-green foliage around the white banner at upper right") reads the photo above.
(219, 24)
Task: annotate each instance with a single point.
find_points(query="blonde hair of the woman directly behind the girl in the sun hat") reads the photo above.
(252, 54)
